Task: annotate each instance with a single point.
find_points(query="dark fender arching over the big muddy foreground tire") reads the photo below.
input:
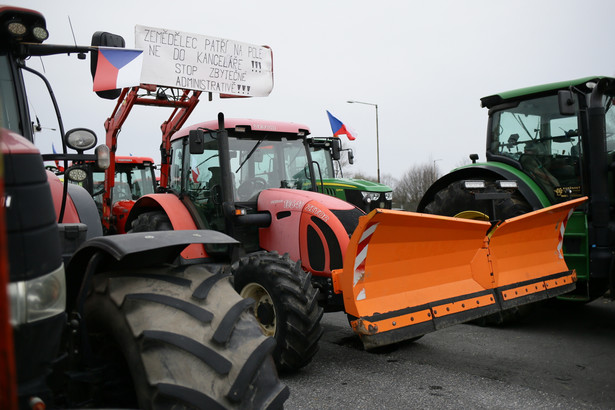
(131, 250)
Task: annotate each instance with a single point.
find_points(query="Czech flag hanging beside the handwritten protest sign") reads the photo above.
(117, 68)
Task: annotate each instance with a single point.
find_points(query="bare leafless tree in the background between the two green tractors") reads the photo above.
(413, 184)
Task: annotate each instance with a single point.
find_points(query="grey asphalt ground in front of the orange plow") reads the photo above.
(558, 357)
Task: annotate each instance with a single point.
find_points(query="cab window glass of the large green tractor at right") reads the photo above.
(545, 143)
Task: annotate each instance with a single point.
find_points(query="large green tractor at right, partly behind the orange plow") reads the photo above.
(546, 145)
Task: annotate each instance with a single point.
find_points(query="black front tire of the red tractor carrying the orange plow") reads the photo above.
(286, 305)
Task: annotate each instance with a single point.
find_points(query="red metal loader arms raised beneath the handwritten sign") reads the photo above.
(129, 97)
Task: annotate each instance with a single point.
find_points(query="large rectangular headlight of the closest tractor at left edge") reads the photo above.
(38, 298)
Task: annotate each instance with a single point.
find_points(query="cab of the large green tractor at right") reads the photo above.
(543, 134)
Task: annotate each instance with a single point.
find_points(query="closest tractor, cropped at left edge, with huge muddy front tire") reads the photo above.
(107, 321)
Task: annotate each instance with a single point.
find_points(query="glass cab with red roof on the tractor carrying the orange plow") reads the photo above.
(260, 155)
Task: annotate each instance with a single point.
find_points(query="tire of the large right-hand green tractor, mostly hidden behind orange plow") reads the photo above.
(455, 200)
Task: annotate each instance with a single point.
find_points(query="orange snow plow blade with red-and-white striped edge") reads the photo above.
(407, 274)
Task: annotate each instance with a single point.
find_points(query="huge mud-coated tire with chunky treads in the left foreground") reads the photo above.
(178, 337)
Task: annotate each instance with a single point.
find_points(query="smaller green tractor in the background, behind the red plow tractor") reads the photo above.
(366, 195)
